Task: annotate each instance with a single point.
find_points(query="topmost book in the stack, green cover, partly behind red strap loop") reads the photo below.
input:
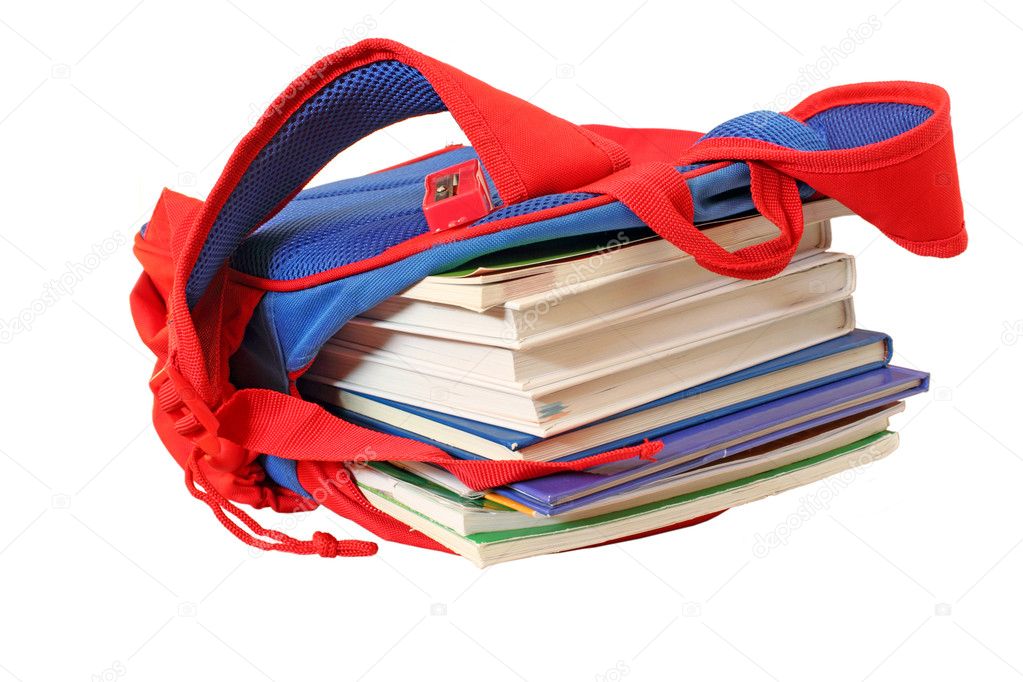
(544, 267)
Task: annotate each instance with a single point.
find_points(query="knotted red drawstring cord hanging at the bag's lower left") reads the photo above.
(322, 543)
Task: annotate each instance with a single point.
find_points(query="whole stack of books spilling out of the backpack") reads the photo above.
(569, 348)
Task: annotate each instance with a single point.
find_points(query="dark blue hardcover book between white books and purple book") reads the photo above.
(855, 353)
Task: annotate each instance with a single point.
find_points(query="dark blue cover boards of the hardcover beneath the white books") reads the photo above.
(518, 442)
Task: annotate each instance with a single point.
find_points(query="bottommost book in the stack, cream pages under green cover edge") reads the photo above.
(487, 549)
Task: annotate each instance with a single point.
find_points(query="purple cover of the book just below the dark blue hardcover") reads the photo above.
(545, 494)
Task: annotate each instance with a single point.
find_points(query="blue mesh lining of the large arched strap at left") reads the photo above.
(346, 111)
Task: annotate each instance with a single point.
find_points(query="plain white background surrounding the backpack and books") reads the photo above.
(110, 570)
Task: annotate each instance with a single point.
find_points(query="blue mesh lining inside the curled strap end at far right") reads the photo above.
(857, 125)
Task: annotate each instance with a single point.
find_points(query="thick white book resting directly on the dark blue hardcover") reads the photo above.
(583, 348)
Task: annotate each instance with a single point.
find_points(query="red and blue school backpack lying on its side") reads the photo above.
(240, 292)
